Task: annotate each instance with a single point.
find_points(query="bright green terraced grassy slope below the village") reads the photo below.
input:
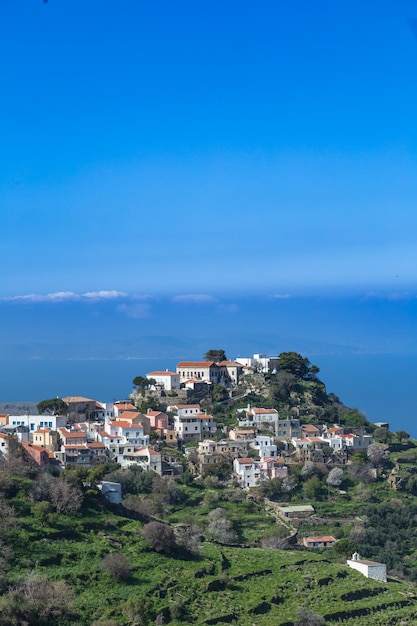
(249, 586)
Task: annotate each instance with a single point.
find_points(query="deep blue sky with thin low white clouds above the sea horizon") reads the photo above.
(165, 162)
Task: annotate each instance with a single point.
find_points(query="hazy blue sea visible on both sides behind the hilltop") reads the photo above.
(382, 386)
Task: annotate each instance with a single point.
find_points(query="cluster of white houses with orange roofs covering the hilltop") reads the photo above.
(257, 441)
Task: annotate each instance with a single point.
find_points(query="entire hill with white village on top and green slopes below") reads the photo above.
(227, 491)
